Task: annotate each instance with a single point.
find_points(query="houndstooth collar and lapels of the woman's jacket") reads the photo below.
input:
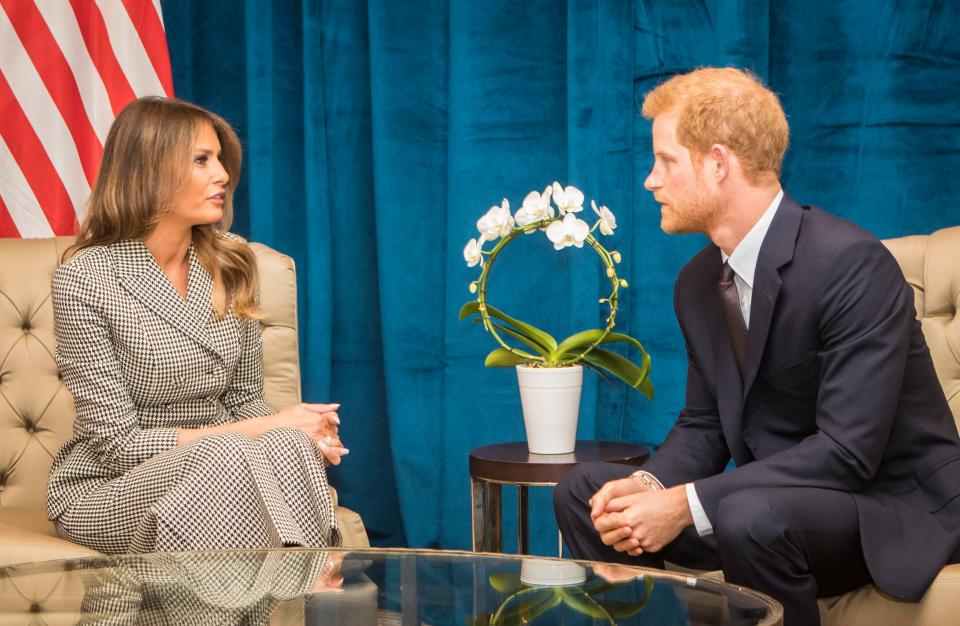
(143, 278)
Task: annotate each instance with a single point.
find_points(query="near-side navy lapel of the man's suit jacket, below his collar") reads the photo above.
(775, 252)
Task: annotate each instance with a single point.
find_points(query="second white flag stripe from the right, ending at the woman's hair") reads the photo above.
(96, 101)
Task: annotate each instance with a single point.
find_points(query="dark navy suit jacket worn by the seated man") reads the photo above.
(839, 392)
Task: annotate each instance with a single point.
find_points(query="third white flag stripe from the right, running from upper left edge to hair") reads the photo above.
(41, 112)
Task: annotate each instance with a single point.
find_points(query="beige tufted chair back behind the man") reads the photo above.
(931, 264)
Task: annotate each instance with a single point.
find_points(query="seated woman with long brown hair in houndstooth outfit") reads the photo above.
(155, 310)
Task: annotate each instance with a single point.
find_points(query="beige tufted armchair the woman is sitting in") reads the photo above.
(36, 410)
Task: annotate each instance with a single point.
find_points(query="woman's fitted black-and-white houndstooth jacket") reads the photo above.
(141, 362)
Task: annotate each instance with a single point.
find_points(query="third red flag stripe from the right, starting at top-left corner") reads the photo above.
(58, 78)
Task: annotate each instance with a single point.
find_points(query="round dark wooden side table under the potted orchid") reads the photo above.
(512, 464)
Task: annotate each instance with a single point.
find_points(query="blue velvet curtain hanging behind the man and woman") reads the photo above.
(377, 132)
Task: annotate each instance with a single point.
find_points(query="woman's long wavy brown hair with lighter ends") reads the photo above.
(144, 172)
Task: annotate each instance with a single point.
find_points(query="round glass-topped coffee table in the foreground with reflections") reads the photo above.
(365, 587)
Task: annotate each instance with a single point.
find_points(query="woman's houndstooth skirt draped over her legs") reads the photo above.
(224, 490)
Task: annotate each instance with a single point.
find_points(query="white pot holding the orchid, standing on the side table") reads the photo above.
(550, 397)
